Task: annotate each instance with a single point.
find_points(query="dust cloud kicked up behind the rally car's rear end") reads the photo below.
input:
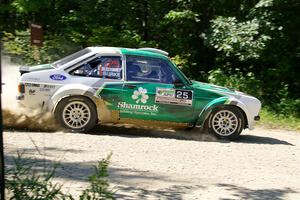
(15, 117)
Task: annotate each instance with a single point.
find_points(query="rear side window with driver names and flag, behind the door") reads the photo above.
(101, 67)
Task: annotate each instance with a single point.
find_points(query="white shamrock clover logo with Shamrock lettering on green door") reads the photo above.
(140, 97)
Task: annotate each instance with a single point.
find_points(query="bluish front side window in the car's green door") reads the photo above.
(147, 69)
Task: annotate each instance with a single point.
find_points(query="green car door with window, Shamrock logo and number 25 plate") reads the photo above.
(149, 92)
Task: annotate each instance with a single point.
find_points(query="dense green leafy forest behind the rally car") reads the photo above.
(249, 45)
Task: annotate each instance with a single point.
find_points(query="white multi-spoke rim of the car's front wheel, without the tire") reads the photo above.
(224, 123)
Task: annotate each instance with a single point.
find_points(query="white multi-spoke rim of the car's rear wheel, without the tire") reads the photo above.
(76, 114)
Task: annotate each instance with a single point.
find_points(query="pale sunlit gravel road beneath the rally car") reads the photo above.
(263, 164)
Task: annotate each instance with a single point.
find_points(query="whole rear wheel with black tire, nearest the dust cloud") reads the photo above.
(76, 110)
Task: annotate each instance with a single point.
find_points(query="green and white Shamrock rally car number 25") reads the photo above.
(136, 86)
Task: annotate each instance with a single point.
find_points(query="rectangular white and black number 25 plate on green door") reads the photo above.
(174, 96)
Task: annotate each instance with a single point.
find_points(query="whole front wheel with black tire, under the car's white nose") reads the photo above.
(226, 122)
